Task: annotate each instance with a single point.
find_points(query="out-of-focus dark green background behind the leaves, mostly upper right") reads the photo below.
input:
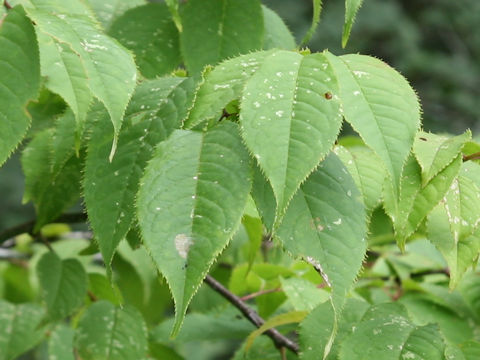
(435, 44)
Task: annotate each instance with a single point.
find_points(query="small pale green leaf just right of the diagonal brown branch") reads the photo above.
(303, 294)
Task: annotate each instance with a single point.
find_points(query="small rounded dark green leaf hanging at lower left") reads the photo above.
(63, 284)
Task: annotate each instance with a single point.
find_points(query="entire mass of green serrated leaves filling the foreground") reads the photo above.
(239, 147)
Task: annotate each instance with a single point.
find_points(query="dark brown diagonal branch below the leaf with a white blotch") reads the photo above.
(278, 339)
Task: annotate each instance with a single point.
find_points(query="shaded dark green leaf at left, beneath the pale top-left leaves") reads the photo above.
(52, 172)
